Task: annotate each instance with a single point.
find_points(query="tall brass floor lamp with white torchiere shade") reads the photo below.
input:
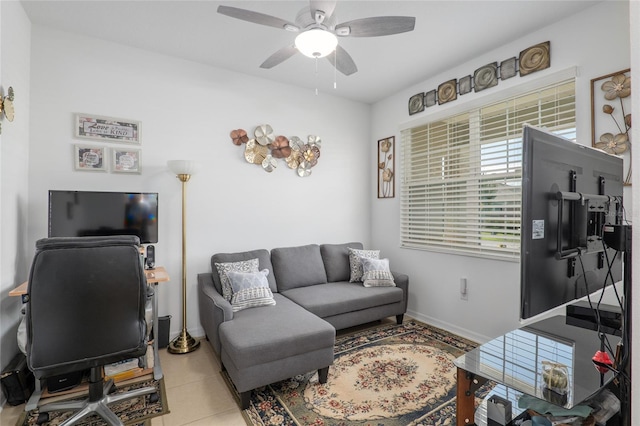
(184, 343)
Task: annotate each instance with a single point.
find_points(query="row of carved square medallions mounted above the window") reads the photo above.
(532, 59)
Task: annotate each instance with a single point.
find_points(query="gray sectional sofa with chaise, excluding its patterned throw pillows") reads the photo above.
(313, 298)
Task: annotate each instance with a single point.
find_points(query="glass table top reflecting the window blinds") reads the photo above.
(549, 359)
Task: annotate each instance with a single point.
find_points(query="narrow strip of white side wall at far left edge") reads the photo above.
(14, 145)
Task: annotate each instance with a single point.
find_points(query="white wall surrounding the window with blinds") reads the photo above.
(597, 43)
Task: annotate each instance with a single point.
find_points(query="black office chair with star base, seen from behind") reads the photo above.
(86, 309)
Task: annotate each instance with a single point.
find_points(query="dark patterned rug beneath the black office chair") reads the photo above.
(132, 412)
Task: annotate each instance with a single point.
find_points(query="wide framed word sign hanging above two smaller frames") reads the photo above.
(107, 129)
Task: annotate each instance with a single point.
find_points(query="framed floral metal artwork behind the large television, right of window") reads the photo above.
(611, 116)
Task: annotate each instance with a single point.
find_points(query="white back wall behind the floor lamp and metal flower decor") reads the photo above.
(187, 111)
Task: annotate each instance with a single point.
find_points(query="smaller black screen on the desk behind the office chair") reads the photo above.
(88, 213)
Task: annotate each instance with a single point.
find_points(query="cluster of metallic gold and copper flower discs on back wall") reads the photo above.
(265, 149)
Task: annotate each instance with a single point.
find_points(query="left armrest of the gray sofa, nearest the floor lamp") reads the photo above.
(214, 309)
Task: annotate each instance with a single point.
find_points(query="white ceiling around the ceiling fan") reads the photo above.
(447, 33)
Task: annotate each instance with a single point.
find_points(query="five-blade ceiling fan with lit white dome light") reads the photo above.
(318, 32)
